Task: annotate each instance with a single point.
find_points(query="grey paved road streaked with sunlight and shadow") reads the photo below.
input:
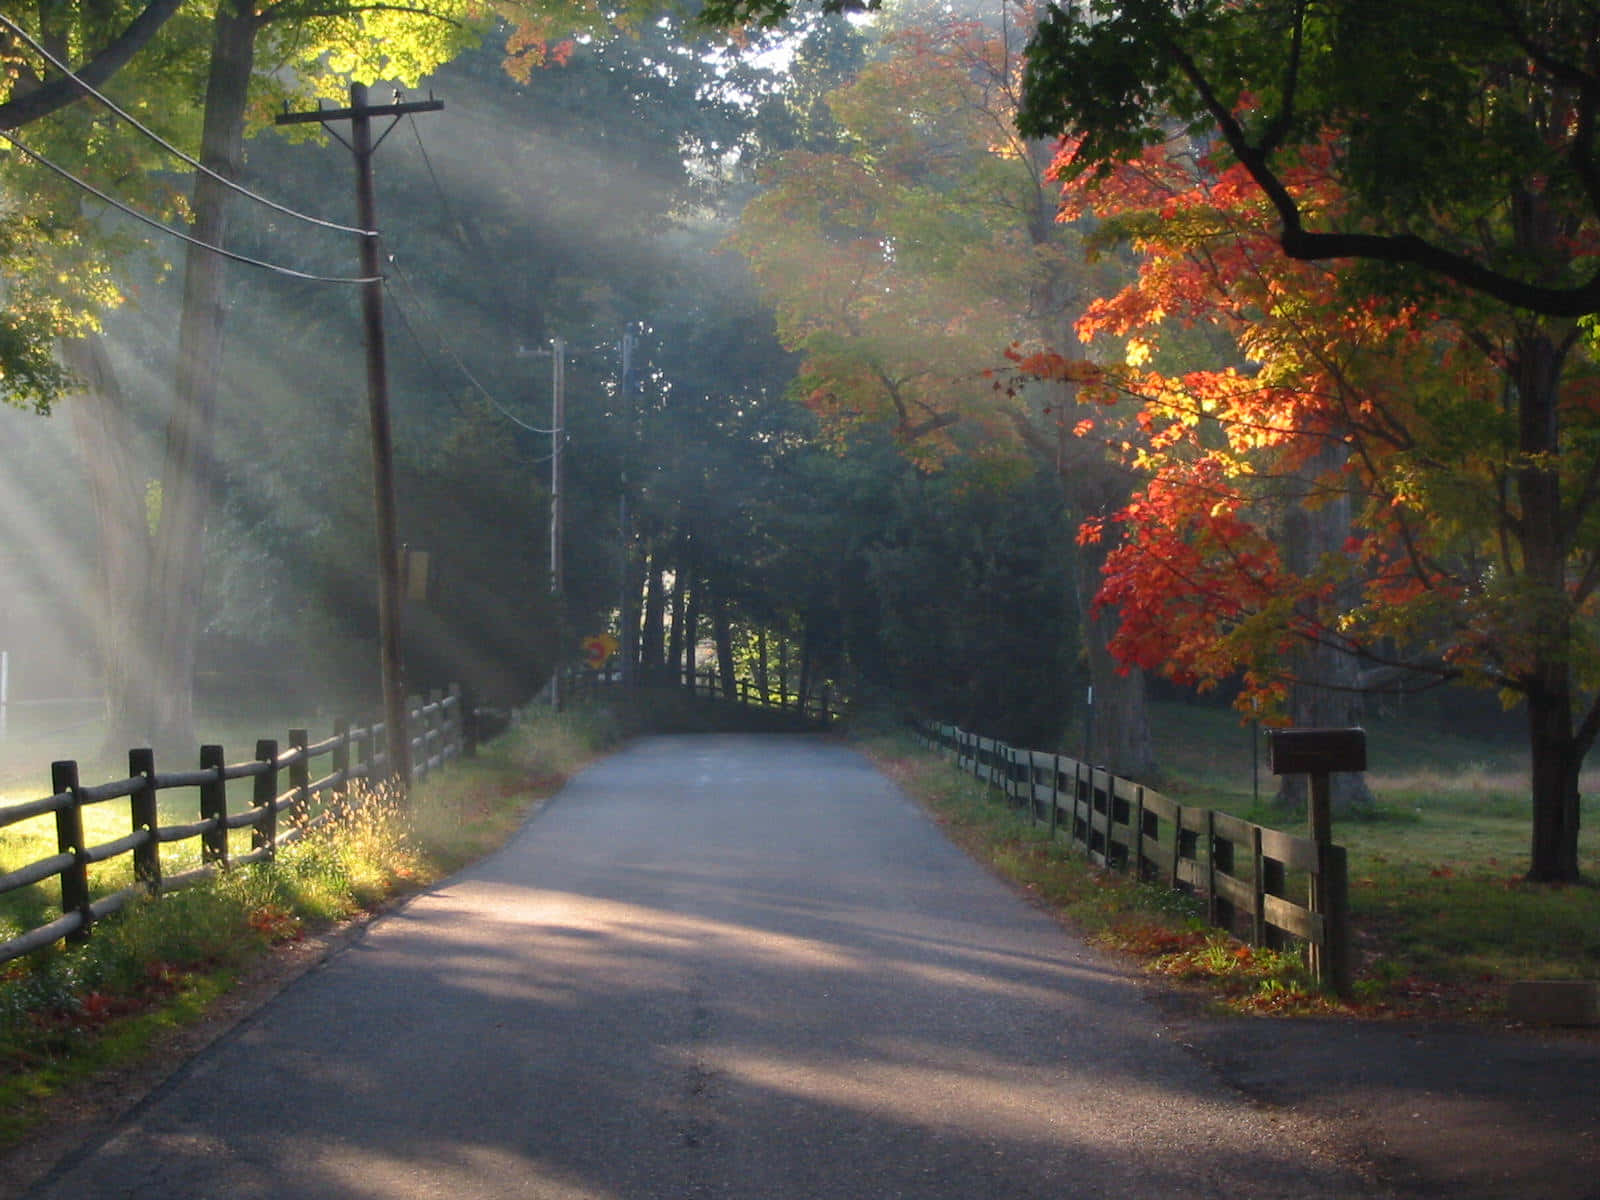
(711, 967)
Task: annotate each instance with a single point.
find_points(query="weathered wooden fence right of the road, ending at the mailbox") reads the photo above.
(1247, 874)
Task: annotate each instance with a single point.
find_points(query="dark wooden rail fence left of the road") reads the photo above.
(351, 754)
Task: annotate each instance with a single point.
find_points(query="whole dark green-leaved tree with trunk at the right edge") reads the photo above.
(1444, 159)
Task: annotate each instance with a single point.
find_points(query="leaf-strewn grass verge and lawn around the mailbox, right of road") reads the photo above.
(1441, 916)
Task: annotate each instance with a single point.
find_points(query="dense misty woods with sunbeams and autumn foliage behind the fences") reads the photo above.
(962, 361)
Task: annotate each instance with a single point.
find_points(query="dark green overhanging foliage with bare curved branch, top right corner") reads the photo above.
(1463, 132)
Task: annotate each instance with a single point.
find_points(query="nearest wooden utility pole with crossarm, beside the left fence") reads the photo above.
(362, 146)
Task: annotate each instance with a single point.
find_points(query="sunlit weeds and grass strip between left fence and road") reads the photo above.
(132, 1001)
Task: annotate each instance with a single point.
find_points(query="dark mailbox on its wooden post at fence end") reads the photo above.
(1319, 754)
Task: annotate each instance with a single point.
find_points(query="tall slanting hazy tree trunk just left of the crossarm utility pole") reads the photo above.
(190, 473)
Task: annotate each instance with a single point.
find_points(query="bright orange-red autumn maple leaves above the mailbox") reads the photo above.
(1242, 388)
